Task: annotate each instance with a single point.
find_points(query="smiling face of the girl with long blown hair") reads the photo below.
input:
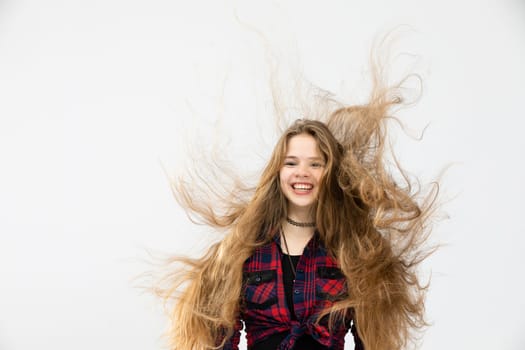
(301, 173)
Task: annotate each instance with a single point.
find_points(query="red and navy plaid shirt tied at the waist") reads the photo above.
(318, 283)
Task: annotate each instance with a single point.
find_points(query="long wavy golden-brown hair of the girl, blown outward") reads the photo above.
(372, 223)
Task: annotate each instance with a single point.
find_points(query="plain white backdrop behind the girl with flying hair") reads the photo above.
(96, 95)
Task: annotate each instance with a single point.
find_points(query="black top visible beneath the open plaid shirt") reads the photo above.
(306, 341)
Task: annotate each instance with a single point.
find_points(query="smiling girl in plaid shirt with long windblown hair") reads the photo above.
(327, 242)
